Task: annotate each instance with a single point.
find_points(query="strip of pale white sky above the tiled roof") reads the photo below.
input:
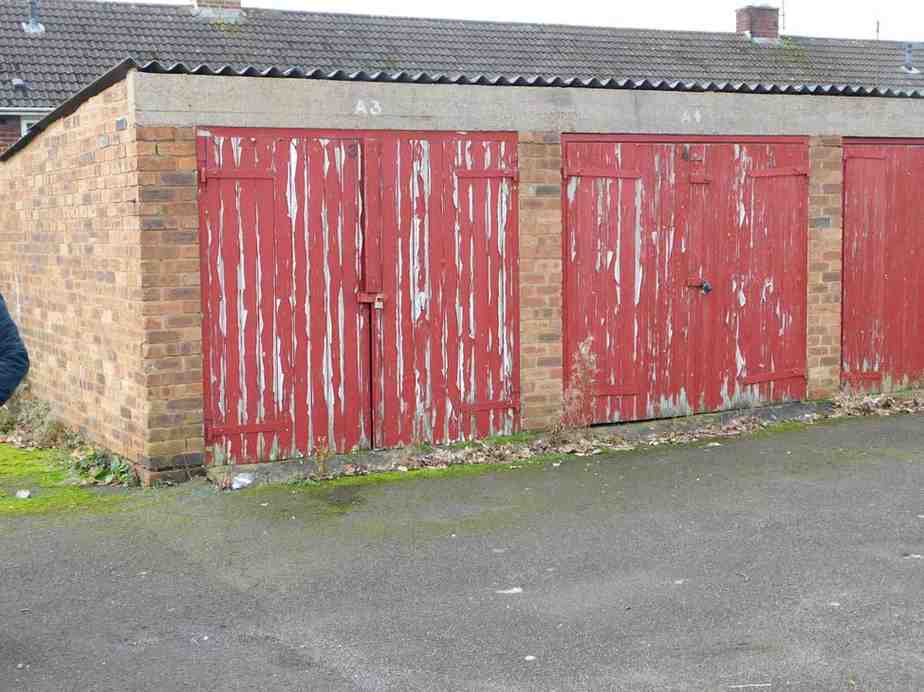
(899, 19)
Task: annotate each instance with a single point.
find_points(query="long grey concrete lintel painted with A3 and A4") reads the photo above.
(191, 100)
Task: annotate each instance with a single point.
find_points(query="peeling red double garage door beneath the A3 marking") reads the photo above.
(360, 289)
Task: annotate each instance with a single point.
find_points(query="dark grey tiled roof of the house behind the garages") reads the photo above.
(84, 39)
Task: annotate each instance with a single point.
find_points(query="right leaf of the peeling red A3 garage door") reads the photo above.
(450, 258)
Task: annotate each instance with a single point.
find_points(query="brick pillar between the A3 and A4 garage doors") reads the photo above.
(540, 278)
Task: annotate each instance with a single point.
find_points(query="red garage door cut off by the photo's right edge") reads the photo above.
(883, 327)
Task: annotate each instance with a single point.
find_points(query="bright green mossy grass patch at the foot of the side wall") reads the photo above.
(48, 479)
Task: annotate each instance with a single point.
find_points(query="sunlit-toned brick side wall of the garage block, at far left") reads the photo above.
(69, 267)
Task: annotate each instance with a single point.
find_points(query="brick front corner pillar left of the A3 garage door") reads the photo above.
(172, 308)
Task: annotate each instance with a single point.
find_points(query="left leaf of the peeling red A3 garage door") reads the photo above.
(286, 341)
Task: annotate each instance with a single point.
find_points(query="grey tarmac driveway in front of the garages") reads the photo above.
(783, 561)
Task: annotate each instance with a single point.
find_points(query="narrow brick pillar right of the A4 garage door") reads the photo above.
(826, 195)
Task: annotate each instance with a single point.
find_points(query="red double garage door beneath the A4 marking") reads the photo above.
(685, 269)
